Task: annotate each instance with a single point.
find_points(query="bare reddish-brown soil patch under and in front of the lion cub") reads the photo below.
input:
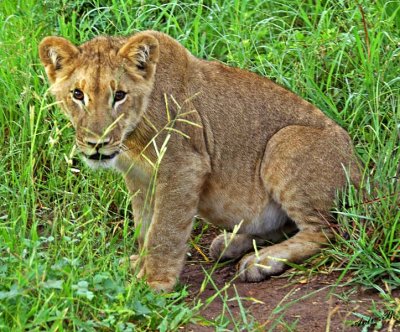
(285, 303)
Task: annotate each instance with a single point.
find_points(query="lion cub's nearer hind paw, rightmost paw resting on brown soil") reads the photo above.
(257, 267)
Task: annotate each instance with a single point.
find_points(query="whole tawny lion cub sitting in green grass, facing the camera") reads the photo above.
(240, 149)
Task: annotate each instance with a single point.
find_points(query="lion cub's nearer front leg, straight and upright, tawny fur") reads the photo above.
(165, 245)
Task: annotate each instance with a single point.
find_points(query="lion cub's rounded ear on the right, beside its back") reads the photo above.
(142, 51)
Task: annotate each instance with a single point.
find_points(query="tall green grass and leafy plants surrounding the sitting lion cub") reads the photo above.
(63, 227)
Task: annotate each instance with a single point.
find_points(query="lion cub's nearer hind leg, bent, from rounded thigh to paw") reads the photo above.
(303, 169)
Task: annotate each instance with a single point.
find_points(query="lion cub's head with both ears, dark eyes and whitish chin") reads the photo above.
(103, 87)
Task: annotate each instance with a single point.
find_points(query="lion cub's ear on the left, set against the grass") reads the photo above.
(55, 53)
